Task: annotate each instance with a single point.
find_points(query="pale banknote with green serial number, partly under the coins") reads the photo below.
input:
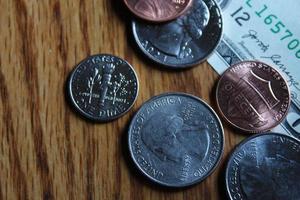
(268, 31)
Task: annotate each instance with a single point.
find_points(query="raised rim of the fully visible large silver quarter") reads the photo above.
(221, 134)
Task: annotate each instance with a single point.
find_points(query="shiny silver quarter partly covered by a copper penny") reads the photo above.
(185, 41)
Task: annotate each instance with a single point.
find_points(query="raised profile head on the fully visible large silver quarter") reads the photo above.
(171, 140)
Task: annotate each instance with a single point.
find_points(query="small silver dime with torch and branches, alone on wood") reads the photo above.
(103, 87)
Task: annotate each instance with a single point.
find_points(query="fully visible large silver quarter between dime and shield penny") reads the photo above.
(176, 139)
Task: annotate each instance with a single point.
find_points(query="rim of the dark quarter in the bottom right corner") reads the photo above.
(242, 143)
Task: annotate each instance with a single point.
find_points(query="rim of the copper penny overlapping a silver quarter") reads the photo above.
(188, 6)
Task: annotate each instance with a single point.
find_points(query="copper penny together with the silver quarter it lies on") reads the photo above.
(176, 34)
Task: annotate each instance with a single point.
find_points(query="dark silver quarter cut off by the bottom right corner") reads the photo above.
(265, 167)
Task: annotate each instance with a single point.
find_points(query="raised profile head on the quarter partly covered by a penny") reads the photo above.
(173, 38)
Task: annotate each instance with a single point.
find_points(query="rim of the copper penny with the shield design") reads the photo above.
(244, 129)
